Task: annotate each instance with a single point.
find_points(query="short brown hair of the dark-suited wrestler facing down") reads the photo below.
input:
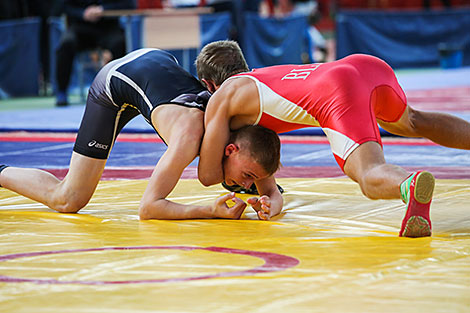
(262, 144)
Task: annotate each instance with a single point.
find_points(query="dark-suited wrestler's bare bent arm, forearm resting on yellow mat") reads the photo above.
(182, 129)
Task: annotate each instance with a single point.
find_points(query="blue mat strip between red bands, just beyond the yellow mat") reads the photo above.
(57, 155)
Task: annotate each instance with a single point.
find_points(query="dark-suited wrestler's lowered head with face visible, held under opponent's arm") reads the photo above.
(253, 153)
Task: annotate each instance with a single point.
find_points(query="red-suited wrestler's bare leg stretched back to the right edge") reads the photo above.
(444, 129)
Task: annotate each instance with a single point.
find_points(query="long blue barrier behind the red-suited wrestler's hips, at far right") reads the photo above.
(404, 39)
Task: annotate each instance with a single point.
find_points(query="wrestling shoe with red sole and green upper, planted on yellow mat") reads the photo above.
(417, 192)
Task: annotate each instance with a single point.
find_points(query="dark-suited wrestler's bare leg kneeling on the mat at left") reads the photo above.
(67, 196)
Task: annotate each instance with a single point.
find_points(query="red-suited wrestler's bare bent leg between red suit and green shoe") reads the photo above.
(378, 180)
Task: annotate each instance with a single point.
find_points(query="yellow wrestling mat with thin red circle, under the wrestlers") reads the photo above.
(331, 250)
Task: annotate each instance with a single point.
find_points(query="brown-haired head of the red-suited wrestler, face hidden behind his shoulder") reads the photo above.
(219, 60)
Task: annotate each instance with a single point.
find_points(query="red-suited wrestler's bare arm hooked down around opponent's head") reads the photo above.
(234, 105)
